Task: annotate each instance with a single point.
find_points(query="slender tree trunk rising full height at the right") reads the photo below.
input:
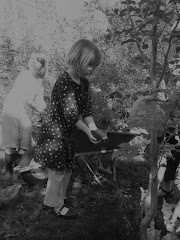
(153, 179)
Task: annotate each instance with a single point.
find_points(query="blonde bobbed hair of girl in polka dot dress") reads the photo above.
(83, 53)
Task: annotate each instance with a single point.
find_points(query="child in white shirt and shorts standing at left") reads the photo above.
(17, 111)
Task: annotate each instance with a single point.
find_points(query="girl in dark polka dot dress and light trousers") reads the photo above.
(70, 100)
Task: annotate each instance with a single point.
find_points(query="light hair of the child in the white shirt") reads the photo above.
(42, 58)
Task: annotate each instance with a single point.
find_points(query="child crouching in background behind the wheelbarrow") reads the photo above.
(109, 116)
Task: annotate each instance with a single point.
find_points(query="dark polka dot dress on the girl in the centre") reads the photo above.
(56, 144)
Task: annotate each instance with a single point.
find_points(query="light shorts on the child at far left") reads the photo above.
(16, 131)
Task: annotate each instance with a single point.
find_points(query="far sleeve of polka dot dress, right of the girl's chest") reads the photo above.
(87, 103)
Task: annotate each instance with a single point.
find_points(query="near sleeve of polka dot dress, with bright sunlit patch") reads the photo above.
(64, 98)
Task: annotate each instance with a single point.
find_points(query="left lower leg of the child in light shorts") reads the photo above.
(10, 154)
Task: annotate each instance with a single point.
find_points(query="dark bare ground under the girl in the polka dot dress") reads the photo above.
(108, 212)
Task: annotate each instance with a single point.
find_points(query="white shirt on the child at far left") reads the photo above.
(25, 89)
